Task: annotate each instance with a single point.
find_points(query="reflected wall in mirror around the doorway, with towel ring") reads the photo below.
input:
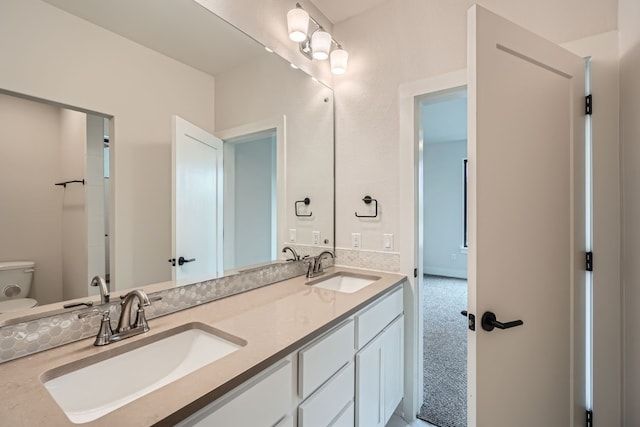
(243, 99)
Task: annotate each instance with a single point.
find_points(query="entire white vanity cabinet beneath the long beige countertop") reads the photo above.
(352, 375)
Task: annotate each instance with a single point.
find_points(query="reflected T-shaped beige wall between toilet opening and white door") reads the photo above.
(141, 89)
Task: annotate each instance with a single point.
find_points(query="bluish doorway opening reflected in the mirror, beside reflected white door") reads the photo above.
(250, 173)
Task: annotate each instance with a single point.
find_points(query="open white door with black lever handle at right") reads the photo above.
(526, 252)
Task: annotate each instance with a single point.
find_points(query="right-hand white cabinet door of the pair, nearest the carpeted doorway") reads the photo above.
(393, 368)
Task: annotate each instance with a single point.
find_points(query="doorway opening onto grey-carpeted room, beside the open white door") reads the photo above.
(443, 239)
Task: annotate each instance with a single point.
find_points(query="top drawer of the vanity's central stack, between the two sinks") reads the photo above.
(322, 358)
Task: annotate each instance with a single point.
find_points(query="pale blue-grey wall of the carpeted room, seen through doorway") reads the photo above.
(444, 209)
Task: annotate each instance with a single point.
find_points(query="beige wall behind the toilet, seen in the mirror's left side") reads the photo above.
(31, 213)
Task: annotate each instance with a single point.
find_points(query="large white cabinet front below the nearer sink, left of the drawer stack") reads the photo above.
(268, 395)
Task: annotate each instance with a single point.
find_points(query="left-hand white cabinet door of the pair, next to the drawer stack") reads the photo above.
(369, 385)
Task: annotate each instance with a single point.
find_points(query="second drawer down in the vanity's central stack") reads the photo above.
(326, 404)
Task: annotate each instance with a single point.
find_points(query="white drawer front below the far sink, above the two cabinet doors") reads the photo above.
(373, 319)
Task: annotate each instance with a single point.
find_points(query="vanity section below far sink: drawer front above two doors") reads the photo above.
(380, 361)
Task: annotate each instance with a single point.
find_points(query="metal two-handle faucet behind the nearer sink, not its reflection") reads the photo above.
(126, 328)
